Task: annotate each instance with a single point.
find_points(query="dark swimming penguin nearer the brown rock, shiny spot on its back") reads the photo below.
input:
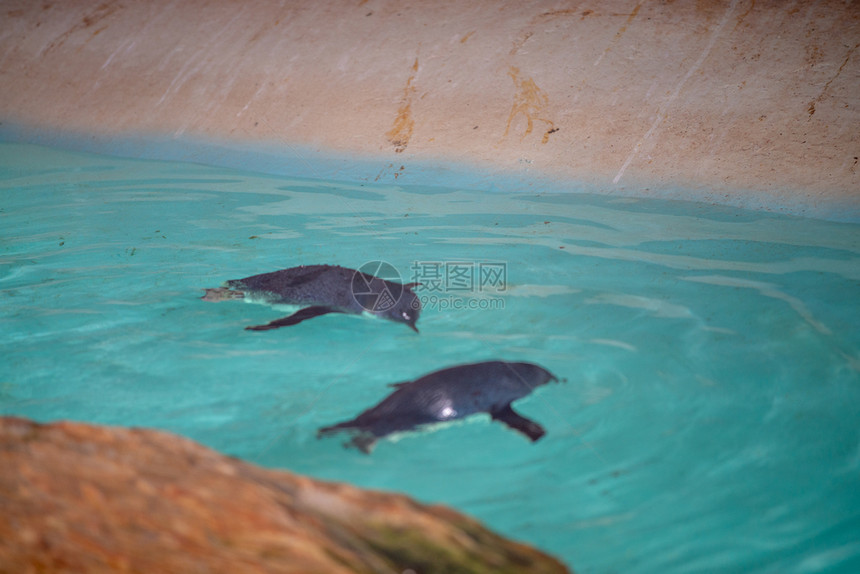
(449, 394)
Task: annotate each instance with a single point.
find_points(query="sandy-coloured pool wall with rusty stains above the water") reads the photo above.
(723, 98)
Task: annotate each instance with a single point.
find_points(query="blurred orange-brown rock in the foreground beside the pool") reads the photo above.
(83, 498)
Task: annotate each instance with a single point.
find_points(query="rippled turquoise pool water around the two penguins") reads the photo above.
(710, 421)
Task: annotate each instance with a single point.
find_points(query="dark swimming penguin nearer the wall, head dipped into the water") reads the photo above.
(322, 289)
